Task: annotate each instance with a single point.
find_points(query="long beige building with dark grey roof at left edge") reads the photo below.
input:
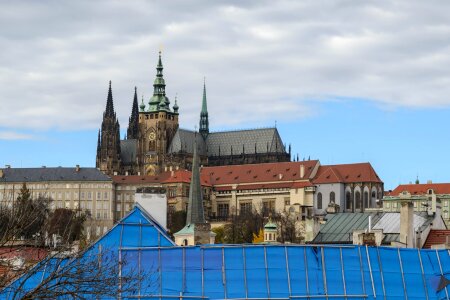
(77, 188)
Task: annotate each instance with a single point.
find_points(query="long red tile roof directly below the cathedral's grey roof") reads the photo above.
(253, 173)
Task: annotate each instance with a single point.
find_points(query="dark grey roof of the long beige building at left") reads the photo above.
(52, 174)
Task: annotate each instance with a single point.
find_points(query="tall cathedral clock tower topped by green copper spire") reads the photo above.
(157, 126)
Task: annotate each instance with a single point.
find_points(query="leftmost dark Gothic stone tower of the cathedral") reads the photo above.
(108, 144)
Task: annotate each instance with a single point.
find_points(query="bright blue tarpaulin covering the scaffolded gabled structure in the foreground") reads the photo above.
(167, 271)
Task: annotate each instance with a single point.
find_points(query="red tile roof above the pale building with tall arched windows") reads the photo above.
(346, 173)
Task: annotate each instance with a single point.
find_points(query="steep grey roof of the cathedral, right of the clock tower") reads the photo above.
(266, 139)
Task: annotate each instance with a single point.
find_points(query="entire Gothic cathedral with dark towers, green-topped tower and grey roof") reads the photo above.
(154, 142)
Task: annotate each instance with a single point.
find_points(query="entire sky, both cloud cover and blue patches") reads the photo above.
(344, 81)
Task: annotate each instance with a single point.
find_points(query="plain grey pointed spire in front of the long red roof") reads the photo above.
(195, 204)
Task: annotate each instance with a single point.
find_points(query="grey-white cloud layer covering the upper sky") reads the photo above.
(263, 61)
